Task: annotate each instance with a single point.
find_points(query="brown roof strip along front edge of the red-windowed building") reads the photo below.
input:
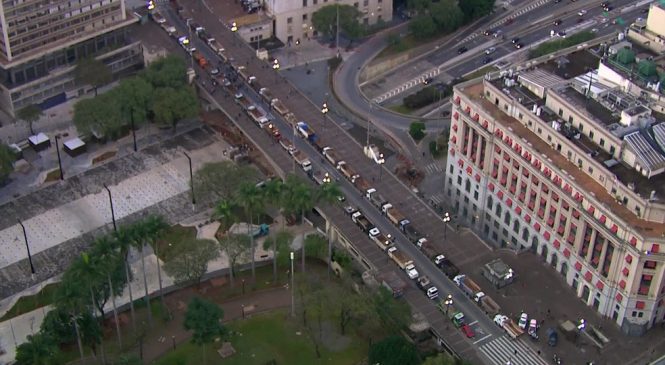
(475, 92)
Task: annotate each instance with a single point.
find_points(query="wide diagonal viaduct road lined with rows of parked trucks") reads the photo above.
(490, 344)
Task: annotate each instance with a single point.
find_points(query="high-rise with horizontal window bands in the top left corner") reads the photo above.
(42, 41)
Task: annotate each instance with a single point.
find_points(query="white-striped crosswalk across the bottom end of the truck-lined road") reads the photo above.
(504, 350)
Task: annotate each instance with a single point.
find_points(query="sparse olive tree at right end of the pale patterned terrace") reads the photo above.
(221, 180)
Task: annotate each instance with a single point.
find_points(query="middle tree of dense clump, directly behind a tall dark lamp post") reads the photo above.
(135, 95)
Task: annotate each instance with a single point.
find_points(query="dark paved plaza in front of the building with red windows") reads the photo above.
(542, 293)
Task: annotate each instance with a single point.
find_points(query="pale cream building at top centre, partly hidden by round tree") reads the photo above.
(292, 19)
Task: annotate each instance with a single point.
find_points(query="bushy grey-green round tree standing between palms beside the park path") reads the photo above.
(189, 261)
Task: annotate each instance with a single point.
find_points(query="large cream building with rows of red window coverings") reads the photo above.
(536, 164)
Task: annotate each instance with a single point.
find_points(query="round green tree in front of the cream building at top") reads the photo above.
(325, 20)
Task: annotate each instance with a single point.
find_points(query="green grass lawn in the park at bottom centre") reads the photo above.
(266, 337)
